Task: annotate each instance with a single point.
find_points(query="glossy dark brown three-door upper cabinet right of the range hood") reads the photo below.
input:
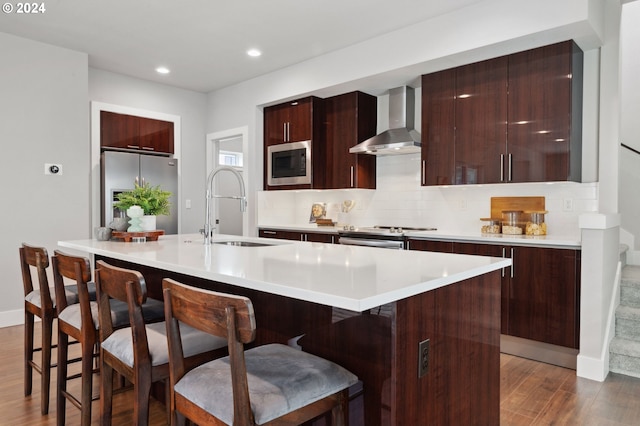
(510, 119)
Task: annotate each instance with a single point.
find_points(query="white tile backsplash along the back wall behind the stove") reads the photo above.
(399, 200)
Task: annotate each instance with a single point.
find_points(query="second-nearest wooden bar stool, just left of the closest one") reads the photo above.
(139, 352)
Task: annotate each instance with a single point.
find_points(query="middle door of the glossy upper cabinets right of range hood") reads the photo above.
(480, 120)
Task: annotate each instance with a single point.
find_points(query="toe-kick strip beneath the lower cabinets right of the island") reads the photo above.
(539, 351)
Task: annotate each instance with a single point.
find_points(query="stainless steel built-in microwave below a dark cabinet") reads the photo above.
(289, 163)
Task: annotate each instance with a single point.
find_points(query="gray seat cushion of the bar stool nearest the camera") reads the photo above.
(281, 379)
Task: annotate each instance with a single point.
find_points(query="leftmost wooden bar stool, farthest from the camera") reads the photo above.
(41, 303)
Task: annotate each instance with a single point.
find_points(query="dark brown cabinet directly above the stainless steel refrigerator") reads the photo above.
(122, 131)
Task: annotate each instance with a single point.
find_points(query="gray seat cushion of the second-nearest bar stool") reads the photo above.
(193, 342)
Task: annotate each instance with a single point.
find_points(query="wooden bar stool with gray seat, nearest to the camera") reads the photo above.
(271, 384)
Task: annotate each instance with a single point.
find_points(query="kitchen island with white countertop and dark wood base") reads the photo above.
(370, 310)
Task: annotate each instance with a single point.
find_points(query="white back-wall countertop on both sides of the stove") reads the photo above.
(556, 240)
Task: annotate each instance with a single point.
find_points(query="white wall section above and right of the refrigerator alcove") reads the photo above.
(190, 106)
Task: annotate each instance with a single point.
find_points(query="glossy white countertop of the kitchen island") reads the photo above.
(348, 277)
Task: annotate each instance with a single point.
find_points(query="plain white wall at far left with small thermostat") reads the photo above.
(45, 119)
